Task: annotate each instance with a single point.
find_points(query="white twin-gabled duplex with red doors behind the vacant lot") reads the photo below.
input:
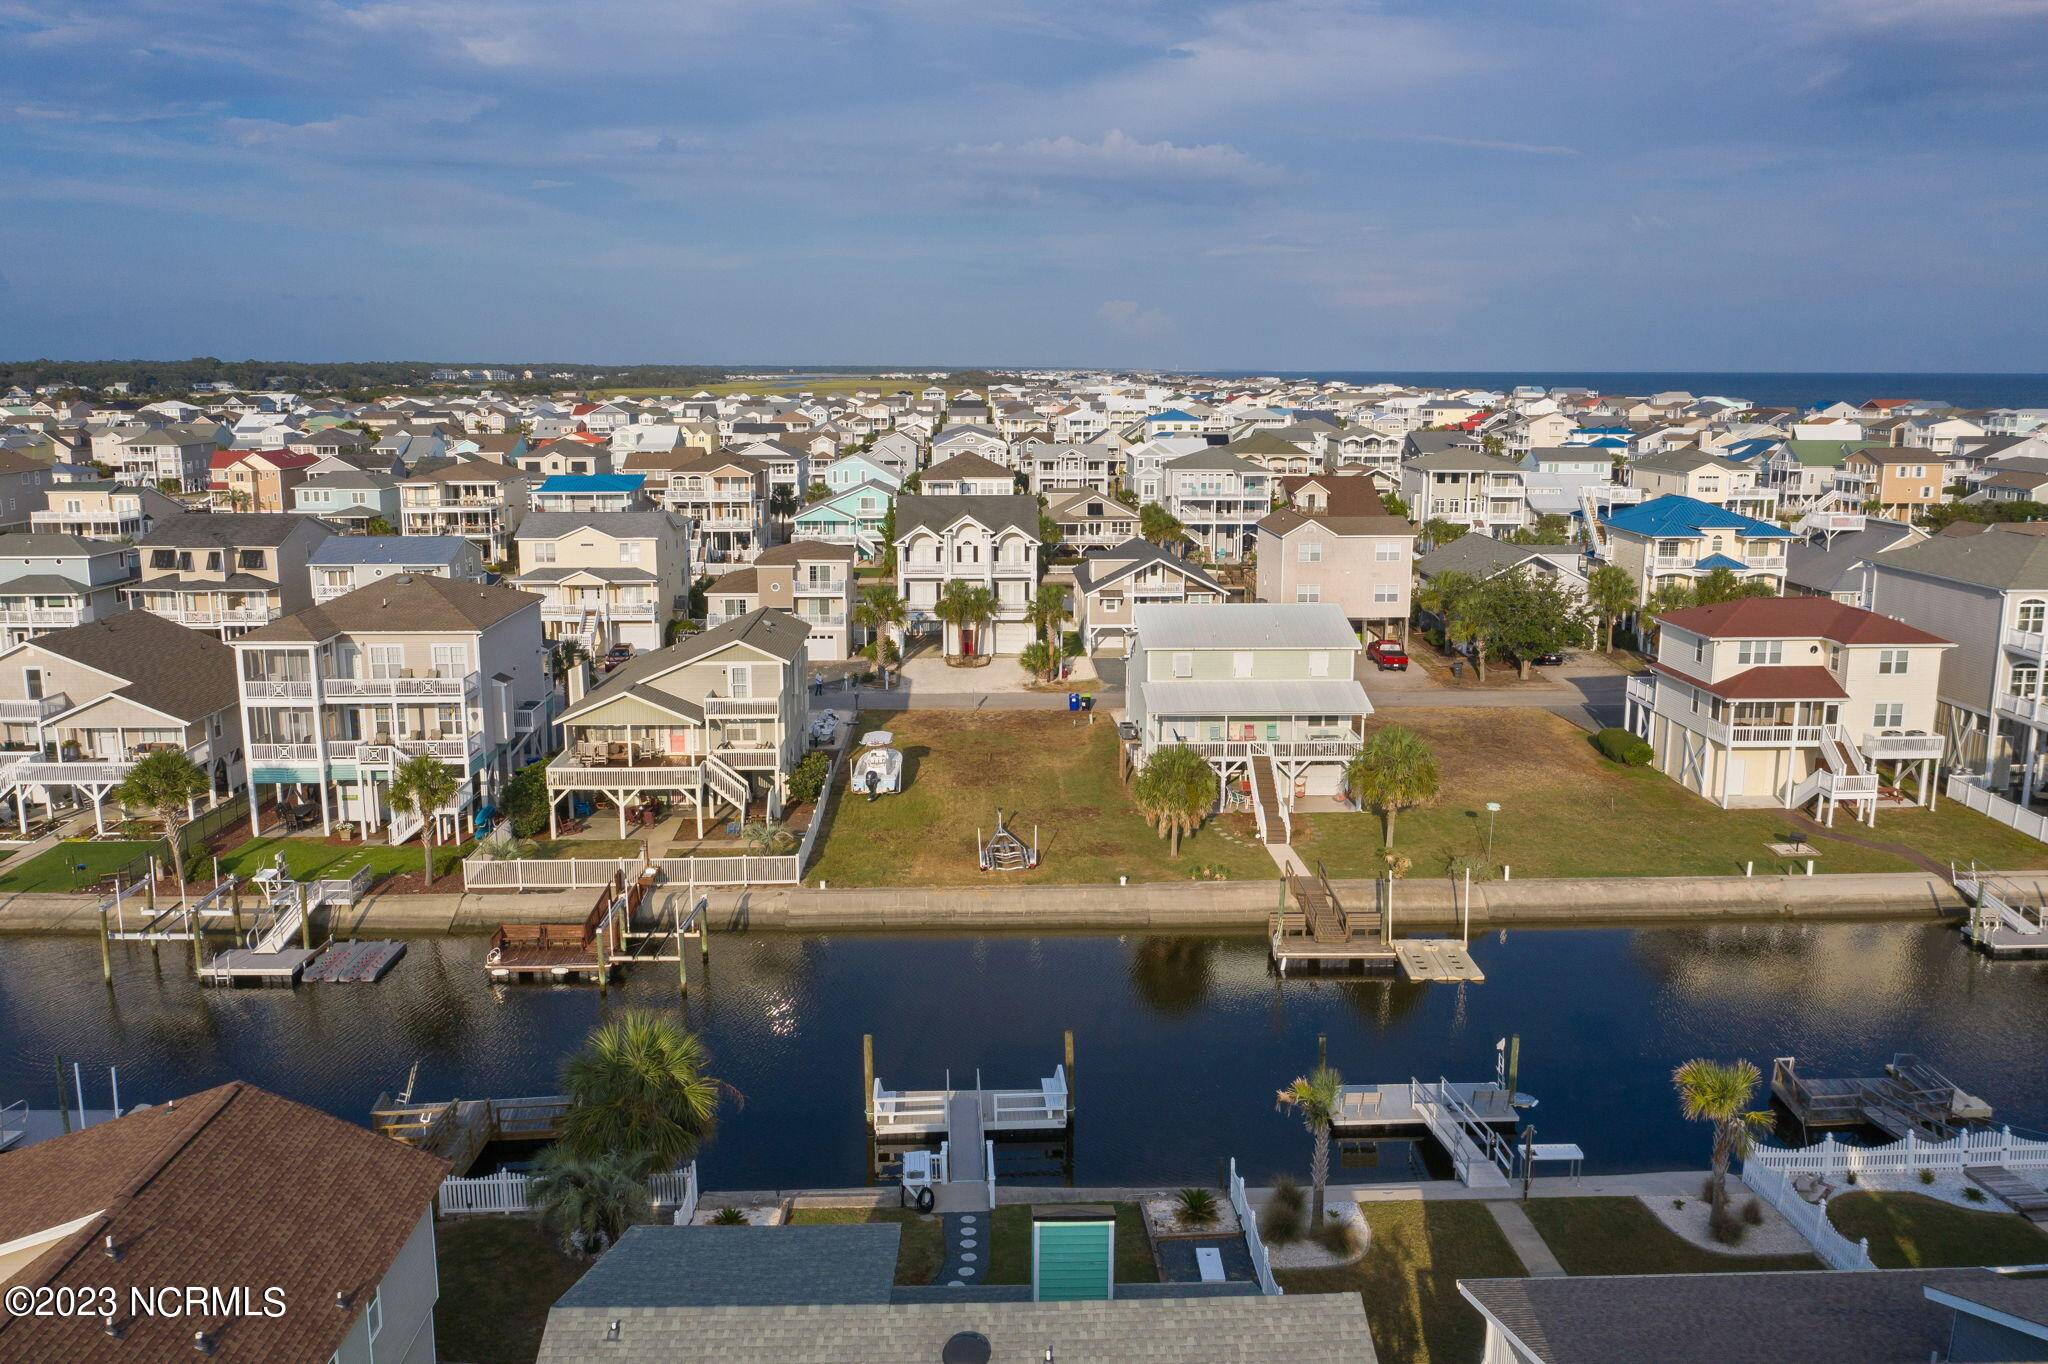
(984, 542)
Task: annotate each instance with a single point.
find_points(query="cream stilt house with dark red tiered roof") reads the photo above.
(1791, 701)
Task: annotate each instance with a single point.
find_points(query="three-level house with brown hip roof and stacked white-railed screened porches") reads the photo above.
(337, 697)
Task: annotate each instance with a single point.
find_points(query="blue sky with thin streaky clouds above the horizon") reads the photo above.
(1252, 185)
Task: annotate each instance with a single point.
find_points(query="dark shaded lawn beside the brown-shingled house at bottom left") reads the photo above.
(499, 1277)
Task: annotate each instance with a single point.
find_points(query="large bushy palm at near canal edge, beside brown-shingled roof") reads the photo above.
(638, 1089)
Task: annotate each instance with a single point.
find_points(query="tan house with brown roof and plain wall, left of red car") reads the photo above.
(1363, 564)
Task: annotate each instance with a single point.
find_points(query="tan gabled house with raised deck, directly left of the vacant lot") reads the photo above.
(718, 722)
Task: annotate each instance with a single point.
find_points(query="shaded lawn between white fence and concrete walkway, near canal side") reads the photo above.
(1410, 1279)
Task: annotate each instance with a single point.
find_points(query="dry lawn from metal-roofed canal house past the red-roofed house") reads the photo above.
(1623, 822)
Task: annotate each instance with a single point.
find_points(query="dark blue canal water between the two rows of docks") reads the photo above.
(1181, 1041)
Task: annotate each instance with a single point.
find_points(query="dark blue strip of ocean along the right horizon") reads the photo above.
(1768, 390)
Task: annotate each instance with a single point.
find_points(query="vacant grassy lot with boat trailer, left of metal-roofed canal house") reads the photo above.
(1039, 769)
